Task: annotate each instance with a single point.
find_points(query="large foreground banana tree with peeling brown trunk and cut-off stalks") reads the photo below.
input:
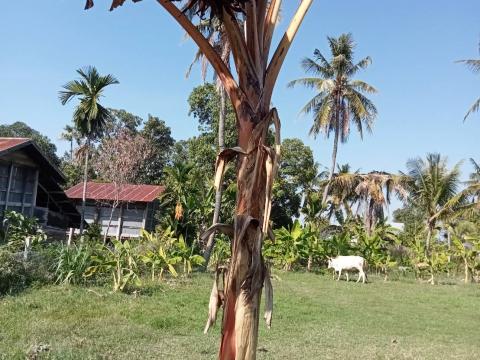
(249, 27)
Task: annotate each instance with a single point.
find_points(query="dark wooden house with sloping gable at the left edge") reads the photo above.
(31, 184)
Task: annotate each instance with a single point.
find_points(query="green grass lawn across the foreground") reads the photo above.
(314, 318)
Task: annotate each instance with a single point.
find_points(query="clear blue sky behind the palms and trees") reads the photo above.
(423, 94)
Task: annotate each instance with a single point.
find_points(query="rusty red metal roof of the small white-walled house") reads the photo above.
(106, 191)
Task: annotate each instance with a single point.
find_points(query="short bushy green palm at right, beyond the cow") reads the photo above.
(433, 189)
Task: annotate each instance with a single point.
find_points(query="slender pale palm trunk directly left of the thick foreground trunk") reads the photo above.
(218, 194)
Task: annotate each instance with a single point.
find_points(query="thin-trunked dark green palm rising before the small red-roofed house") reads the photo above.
(89, 117)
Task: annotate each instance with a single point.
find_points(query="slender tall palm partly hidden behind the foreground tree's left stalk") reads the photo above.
(214, 31)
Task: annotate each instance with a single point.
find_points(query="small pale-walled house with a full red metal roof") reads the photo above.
(135, 206)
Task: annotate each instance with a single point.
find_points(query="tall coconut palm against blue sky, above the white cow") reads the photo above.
(340, 99)
